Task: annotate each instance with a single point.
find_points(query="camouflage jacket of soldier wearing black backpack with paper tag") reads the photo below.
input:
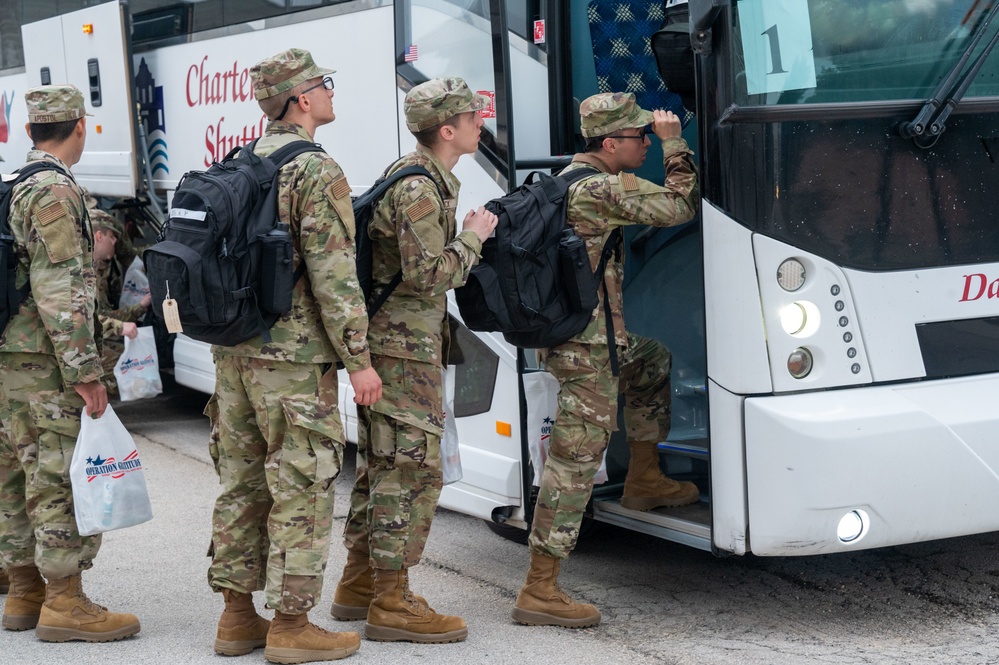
(328, 319)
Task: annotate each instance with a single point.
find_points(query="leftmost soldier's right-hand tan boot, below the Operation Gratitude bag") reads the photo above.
(68, 614)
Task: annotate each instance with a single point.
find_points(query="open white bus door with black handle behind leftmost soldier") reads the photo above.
(89, 48)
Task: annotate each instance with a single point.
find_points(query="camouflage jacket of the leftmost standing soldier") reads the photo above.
(54, 247)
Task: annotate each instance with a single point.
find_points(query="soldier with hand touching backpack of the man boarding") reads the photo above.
(398, 479)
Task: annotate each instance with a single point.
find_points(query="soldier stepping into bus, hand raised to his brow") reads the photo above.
(614, 126)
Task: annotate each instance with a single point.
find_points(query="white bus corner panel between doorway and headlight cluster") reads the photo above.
(737, 359)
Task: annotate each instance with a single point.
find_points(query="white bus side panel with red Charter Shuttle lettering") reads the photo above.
(208, 106)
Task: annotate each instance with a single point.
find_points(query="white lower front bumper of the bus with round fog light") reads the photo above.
(916, 461)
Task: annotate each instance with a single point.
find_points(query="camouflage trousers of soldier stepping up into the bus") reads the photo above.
(587, 414)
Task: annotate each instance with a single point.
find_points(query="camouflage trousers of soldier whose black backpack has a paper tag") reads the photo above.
(277, 442)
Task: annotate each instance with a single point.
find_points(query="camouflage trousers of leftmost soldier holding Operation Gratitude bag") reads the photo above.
(40, 422)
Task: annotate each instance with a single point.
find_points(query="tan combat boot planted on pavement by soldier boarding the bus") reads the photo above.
(542, 603)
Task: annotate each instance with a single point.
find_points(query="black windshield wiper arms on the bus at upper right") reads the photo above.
(930, 122)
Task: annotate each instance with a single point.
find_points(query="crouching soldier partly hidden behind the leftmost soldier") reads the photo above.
(117, 323)
